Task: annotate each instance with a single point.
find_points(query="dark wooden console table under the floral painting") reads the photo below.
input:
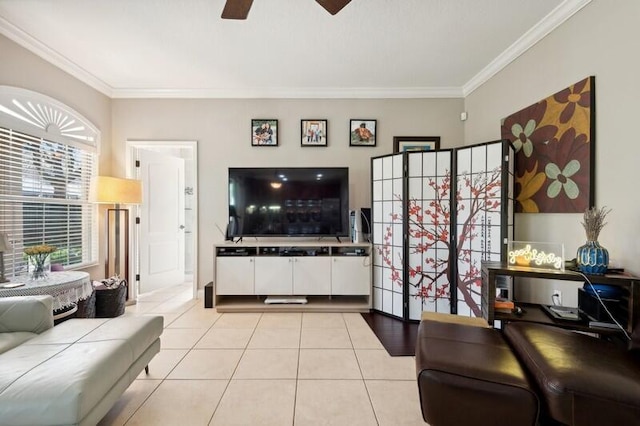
(534, 313)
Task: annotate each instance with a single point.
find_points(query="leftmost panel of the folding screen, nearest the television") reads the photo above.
(387, 217)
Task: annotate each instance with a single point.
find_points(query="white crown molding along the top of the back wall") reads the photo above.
(293, 93)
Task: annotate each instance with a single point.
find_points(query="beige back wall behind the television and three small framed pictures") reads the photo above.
(223, 131)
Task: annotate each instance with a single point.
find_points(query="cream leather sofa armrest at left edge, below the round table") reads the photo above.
(32, 314)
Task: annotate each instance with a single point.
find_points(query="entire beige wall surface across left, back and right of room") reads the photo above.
(596, 41)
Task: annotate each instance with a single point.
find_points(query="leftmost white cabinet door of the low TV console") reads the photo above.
(234, 275)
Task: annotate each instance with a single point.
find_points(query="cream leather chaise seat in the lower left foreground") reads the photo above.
(61, 375)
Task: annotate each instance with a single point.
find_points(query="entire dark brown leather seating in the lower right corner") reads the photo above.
(527, 374)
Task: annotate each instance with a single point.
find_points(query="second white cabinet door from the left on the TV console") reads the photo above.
(274, 276)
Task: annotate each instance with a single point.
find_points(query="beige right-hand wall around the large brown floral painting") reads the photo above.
(599, 40)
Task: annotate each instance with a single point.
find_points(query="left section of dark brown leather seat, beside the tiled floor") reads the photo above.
(468, 375)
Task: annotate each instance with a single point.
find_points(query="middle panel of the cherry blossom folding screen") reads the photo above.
(429, 232)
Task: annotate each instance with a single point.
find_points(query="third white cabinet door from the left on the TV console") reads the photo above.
(311, 276)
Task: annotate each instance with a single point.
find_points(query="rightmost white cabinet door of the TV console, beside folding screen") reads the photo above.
(351, 275)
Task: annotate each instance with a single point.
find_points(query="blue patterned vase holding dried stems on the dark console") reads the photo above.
(592, 258)
